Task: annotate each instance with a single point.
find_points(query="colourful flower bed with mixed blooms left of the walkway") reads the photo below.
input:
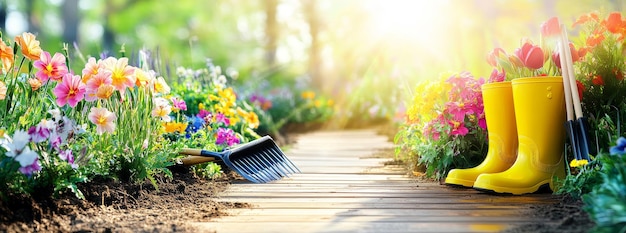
(63, 123)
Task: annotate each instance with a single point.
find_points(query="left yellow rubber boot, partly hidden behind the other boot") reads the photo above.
(502, 131)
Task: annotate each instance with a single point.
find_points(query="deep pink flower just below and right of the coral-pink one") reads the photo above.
(70, 90)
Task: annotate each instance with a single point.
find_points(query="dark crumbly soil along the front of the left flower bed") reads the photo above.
(112, 206)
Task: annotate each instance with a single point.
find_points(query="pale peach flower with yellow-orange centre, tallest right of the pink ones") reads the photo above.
(122, 75)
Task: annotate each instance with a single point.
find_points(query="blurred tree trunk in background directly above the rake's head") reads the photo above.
(271, 32)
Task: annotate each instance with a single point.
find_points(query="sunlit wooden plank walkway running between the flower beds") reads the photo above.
(345, 187)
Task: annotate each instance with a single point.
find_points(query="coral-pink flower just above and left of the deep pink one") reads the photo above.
(50, 68)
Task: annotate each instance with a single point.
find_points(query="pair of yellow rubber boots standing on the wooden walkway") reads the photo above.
(525, 123)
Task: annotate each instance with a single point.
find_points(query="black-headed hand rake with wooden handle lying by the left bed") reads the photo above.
(259, 161)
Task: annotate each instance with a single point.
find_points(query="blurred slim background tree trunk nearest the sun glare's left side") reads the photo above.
(310, 8)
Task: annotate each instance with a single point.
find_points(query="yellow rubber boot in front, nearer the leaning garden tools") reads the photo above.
(540, 114)
